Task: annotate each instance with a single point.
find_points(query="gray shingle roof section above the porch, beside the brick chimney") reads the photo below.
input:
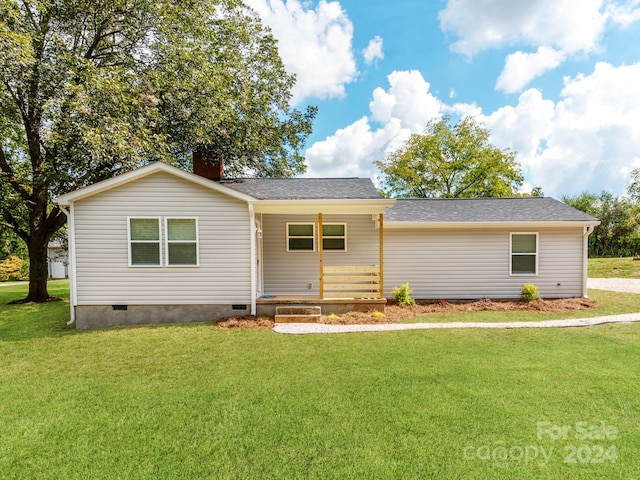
(304, 188)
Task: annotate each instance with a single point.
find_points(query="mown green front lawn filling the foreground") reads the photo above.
(195, 401)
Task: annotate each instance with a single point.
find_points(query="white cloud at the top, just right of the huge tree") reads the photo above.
(315, 44)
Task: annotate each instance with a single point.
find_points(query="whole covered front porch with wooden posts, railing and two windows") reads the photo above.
(329, 260)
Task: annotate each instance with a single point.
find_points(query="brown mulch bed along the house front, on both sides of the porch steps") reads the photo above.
(394, 313)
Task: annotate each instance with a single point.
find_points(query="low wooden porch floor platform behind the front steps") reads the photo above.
(266, 305)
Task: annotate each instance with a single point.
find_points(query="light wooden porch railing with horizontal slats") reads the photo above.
(351, 282)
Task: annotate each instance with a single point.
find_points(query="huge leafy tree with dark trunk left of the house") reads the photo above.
(93, 88)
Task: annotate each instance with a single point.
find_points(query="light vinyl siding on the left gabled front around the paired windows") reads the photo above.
(102, 268)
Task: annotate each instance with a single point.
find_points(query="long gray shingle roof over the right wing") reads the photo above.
(521, 209)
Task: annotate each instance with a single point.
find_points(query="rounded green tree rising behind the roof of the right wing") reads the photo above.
(451, 161)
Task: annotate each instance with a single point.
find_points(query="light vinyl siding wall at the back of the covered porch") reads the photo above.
(291, 272)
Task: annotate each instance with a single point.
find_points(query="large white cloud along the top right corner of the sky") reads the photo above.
(559, 29)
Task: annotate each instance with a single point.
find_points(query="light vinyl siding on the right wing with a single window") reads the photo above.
(468, 264)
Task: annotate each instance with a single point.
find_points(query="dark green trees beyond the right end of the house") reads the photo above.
(617, 234)
